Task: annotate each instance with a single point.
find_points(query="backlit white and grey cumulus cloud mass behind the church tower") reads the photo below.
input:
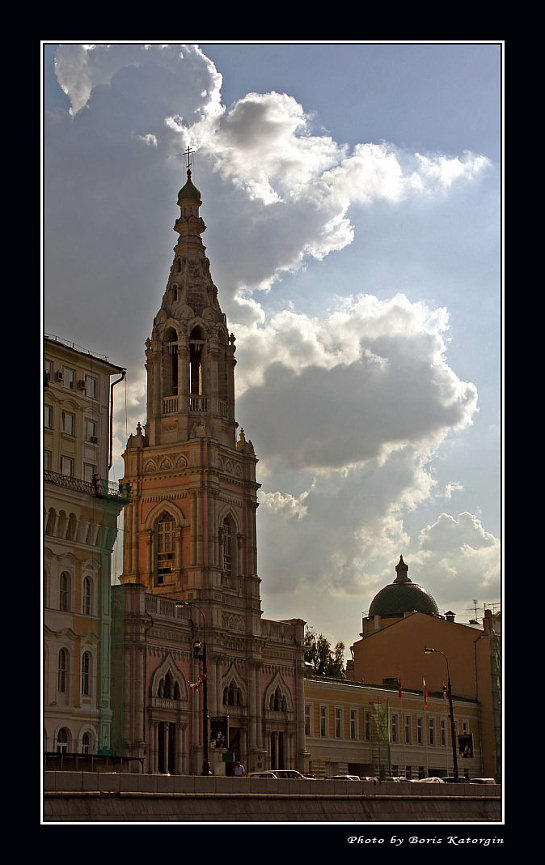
(346, 410)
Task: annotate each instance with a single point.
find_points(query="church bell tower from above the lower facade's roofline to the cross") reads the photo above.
(190, 528)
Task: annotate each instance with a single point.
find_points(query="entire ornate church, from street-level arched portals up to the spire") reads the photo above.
(200, 678)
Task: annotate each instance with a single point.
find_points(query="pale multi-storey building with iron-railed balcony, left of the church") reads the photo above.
(80, 527)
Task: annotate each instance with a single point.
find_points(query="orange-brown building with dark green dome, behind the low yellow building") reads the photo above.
(403, 620)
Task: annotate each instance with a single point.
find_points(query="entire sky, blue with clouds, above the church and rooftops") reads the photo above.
(352, 197)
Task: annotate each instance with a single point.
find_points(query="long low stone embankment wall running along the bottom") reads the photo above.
(112, 797)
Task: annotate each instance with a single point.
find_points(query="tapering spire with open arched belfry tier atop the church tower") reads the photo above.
(190, 357)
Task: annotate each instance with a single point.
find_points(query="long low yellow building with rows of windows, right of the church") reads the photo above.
(380, 731)
